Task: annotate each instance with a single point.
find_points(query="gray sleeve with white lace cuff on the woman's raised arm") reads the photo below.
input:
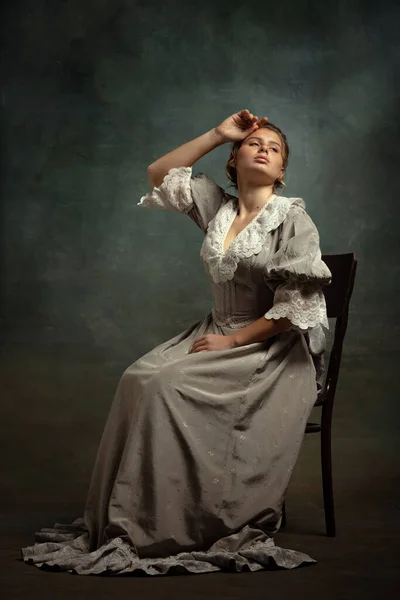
(198, 196)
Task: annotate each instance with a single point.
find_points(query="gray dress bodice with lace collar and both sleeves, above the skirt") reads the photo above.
(273, 267)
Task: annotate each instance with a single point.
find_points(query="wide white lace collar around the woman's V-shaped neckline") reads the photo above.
(222, 265)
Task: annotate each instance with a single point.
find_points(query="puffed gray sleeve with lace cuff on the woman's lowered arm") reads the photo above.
(296, 274)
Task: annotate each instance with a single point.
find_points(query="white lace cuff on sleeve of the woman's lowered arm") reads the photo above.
(303, 305)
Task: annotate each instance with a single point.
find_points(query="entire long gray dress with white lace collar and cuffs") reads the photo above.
(199, 448)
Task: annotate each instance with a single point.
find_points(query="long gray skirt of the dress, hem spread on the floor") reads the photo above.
(194, 461)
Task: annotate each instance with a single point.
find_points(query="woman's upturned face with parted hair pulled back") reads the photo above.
(261, 144)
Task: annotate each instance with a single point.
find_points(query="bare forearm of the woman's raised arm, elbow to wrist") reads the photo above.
(183, 156)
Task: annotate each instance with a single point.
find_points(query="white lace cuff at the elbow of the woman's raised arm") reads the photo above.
(174, 193)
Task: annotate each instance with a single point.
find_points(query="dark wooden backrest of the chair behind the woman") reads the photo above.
(337, 295)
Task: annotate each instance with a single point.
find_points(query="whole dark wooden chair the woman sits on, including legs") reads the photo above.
(343, 268)
